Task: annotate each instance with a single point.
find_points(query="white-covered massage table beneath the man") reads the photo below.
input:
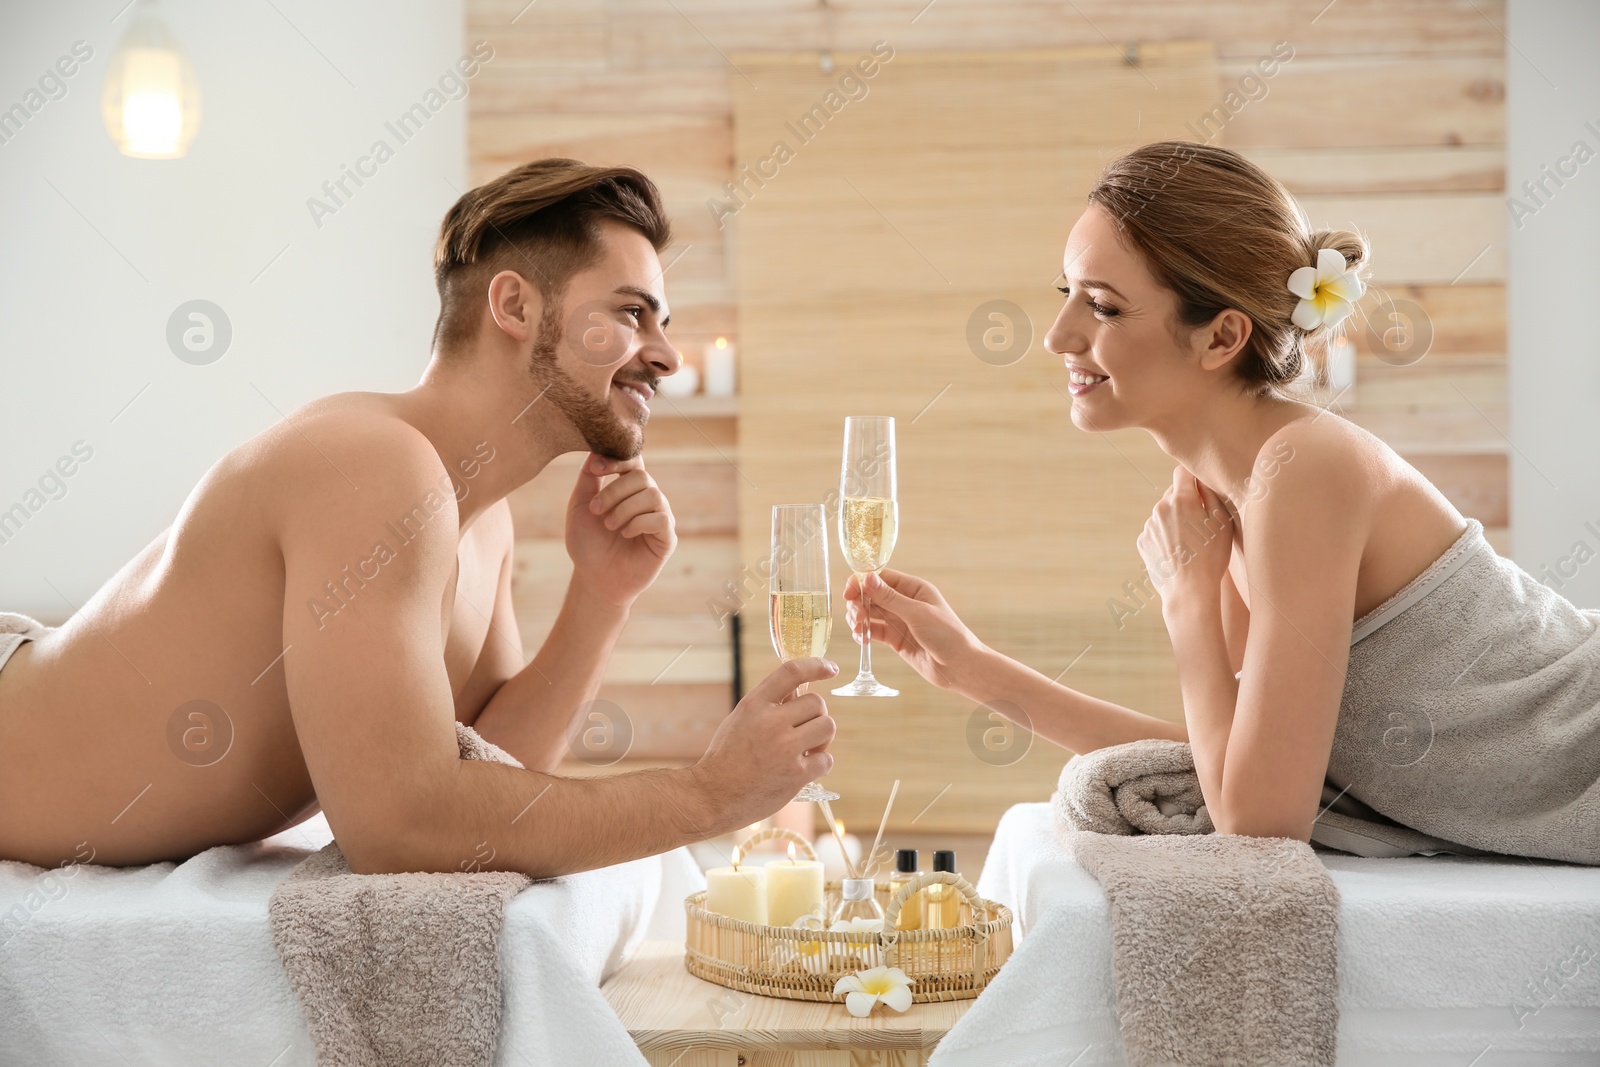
(174, 965)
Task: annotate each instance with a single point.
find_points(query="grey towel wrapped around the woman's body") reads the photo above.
(1471, 709)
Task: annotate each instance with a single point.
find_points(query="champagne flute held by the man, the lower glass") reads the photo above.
(802, 612)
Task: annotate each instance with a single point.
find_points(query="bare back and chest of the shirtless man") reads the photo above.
(158, 722)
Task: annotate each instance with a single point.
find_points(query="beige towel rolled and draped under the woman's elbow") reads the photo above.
(1225, 948)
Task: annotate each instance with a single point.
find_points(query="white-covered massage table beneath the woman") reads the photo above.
(1439, 959)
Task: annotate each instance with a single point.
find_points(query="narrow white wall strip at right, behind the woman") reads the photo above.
(1553, 105)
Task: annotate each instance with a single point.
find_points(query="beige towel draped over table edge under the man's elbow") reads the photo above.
(396, 969)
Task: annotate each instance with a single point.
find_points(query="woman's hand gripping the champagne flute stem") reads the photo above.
(911, 617)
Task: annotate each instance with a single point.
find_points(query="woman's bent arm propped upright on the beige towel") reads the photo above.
(1262, 745)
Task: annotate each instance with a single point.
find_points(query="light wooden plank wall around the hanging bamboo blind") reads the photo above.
(1390, 116)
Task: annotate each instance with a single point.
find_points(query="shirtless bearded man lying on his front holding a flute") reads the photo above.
(340, 588)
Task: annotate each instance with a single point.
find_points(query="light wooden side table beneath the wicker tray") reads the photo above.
(682, 1021)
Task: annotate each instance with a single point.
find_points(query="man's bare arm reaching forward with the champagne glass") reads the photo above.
(374, 709)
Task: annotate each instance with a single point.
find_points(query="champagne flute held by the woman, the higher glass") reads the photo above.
(868, 522)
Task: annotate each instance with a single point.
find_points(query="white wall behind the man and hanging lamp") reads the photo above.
(292, 90)
